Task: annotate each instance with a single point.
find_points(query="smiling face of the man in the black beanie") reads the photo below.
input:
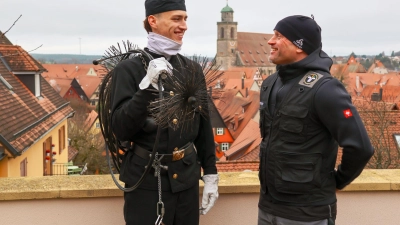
(283, 51)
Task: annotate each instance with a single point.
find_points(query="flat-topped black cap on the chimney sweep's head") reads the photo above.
(159, 6)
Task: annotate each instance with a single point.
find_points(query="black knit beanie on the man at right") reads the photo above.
(302, 31)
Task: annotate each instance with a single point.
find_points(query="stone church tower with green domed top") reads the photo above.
(227, 39)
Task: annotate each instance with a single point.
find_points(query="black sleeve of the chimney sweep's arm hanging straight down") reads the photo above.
(204, 141)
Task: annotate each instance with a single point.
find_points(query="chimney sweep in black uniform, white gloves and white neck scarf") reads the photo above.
(172, 186)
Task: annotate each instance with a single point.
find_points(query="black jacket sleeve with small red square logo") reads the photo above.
(335, 110)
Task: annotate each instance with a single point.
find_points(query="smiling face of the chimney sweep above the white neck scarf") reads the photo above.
(170, 24)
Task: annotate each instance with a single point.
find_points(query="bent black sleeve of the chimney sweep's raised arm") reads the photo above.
(128, 102)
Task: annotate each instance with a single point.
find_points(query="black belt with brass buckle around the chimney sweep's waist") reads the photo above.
(175, 156)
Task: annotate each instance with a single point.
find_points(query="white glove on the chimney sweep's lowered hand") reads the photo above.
(210, 192)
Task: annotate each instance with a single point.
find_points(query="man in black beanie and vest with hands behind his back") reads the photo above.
(305, 114)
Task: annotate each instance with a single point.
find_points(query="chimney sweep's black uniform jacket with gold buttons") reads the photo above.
(131, 122)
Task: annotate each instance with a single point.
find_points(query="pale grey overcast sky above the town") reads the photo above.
(91, 26)
